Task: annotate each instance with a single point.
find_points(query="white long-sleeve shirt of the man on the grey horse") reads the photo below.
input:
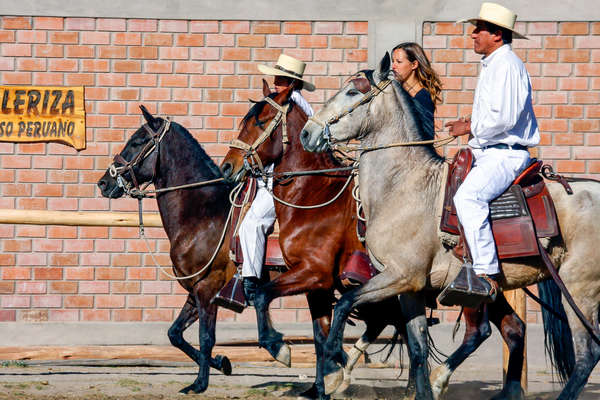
(502, 108)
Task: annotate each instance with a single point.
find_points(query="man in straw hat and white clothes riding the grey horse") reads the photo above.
(502, 126)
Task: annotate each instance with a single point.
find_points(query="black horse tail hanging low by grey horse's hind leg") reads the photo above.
(558, 340)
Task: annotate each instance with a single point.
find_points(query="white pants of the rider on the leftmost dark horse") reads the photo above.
(253, 231)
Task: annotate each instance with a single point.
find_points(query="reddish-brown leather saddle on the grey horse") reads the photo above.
(523, 213)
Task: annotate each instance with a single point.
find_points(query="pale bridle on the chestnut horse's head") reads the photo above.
(252, 161)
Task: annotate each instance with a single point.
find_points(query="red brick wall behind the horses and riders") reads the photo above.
(202, 73)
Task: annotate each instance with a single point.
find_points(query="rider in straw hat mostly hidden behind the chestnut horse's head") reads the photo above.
(260, 218)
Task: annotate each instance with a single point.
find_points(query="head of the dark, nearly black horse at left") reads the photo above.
(135, 165)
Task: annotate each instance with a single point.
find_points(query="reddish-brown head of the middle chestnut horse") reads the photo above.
(262, 138)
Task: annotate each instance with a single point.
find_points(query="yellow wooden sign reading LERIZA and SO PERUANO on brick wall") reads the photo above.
(43, 114)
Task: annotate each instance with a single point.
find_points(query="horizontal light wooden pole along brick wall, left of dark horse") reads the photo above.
(77, 218)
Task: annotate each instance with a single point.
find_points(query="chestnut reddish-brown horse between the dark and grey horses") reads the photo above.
(315, 242)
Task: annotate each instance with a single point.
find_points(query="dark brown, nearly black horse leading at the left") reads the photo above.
(191, 217)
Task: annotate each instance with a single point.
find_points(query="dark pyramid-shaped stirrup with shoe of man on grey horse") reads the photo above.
(469, 290)
